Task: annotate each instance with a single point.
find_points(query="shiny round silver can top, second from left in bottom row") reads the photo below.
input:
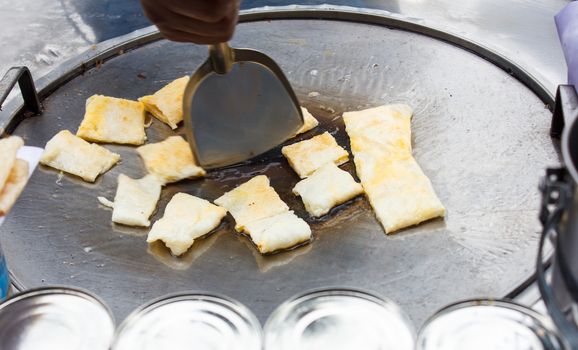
(190, 320)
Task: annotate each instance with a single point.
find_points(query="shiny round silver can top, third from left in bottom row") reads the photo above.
(339, 319)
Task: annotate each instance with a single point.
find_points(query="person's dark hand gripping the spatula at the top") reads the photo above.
(197, 21)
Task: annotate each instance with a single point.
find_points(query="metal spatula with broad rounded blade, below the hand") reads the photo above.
(237, 105)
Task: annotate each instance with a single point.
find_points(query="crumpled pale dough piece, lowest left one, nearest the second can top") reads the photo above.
(185, 219)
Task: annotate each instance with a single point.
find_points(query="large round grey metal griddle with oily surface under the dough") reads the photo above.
(479, 134)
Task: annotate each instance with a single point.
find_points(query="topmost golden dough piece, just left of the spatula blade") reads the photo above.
(167, 104)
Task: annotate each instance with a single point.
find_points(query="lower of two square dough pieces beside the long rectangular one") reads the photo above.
(327, 187)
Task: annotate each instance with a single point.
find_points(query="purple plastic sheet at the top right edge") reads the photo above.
(567, 23)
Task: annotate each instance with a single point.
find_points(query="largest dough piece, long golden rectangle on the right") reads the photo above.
(400, 193)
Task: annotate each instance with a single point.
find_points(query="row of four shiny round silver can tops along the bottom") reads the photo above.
(333, 319)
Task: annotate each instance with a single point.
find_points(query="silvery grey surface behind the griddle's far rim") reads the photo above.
(43, 33)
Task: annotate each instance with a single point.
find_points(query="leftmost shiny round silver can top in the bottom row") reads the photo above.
(58, 318)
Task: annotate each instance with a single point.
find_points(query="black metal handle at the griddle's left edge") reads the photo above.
(22, 76)
